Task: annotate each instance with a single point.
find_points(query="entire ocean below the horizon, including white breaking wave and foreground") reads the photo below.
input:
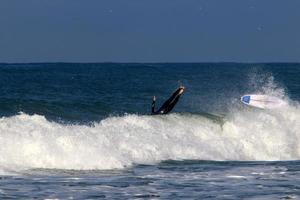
(83, 131)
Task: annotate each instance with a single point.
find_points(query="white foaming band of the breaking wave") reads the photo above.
(31, 141)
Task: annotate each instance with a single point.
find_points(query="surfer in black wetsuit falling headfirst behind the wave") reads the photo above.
(169, 104)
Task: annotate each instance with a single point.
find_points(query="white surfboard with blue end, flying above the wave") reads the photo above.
(263, 101)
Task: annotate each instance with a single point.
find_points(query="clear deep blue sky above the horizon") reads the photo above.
(149, 30)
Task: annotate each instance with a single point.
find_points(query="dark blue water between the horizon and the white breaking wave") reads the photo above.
(82, 93)
